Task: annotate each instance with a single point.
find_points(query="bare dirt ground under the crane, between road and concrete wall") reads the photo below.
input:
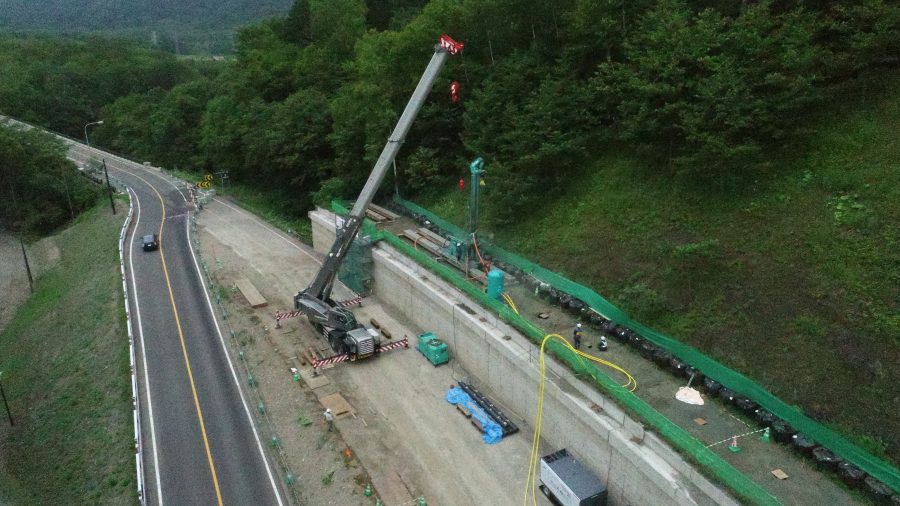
(402, 436)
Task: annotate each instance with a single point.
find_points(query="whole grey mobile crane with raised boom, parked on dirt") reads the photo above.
(338, 324)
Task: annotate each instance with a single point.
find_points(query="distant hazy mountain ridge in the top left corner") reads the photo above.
(93, 15)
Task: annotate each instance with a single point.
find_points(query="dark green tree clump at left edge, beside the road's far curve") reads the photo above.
(41, 190)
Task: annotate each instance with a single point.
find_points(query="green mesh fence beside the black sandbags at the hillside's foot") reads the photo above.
(731, 379)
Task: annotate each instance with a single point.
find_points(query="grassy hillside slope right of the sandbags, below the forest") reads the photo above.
(794, 281)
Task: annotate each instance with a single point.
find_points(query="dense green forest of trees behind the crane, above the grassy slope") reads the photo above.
(704, 88)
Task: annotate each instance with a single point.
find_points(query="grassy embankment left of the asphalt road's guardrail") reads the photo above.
(66, 374)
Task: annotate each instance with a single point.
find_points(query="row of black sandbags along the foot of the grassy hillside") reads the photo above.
(782, 432)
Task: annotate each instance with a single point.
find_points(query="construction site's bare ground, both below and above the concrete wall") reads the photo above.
(409, 440)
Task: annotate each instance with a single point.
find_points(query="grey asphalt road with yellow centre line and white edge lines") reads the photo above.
(200, 442)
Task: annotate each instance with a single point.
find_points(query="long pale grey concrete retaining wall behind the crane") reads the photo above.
(637, 466)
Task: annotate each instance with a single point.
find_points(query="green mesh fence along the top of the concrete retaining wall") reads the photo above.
(678, 437)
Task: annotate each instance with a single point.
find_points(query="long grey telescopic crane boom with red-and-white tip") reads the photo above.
(315, 301)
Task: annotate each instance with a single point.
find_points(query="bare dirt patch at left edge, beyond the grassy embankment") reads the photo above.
(13, 279)
